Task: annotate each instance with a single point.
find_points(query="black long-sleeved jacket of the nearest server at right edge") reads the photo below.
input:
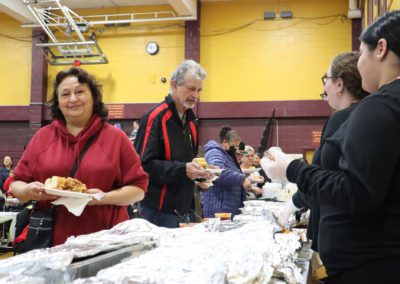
(360, 201)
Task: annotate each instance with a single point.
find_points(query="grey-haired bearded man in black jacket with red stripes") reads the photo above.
(167, 142)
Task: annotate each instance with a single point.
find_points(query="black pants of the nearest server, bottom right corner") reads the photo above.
(385, 271)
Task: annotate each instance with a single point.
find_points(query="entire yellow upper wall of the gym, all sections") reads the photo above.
(267, 60)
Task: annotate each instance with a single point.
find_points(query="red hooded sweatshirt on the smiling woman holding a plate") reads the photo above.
(110, 160)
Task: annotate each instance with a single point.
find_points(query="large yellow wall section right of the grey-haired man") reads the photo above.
(274, 59)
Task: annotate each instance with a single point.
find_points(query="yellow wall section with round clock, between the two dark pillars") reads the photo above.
(132, 75)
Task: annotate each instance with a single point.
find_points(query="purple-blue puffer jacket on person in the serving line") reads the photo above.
(227, 193)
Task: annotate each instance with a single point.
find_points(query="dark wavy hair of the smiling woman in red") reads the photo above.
(84, 77)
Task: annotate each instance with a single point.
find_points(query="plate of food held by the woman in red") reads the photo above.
(66, 187)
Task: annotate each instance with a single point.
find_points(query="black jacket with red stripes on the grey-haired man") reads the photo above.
(165, 145)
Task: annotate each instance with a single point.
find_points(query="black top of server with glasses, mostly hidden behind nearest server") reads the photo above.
(300, 199)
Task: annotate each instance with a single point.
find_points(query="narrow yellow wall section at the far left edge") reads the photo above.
(15, 67)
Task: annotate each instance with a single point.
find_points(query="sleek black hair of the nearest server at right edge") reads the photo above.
(385, 27)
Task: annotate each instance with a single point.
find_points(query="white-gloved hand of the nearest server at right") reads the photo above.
(275, 164)
